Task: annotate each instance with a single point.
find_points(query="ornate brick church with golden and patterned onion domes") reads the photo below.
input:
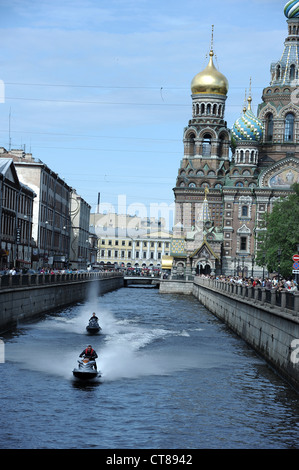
(229, 178)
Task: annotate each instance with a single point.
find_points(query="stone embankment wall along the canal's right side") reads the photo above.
(271, 330)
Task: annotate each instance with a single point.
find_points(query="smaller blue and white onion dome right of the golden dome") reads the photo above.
(247, 128)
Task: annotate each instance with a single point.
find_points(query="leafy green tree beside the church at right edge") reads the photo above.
(280, 231)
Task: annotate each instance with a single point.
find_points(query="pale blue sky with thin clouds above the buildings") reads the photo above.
(100, 90)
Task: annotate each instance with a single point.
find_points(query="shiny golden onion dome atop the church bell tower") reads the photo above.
(210, 80)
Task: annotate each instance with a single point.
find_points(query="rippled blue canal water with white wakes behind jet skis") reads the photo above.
(173, 377)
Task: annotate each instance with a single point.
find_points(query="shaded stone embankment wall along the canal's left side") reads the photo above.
(25, 299)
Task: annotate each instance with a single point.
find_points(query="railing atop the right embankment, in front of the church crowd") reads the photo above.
(284, 299)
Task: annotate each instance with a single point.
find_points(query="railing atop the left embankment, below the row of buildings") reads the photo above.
(9, 281)
